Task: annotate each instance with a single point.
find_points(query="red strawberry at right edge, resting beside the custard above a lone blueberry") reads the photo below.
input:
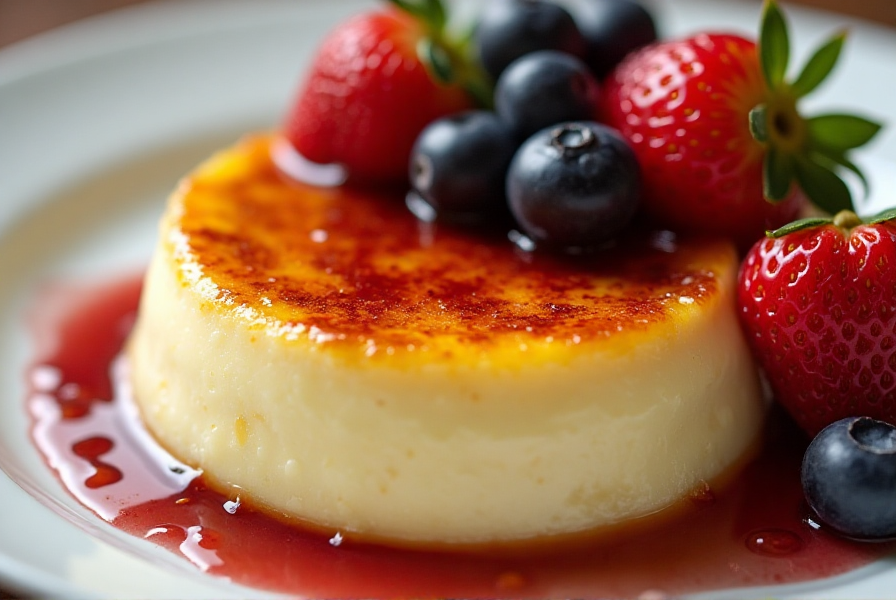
(817, 300)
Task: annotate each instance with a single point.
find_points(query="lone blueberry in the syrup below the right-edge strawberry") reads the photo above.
(849, 477)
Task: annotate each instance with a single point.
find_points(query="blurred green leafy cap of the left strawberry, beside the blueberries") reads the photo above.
(446, 56)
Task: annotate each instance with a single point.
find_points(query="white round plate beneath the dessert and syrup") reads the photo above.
(97, 122)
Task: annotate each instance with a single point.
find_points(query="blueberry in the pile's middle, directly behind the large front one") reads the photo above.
(545, 88)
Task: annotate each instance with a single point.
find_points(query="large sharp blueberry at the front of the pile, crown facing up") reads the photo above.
(575, 184)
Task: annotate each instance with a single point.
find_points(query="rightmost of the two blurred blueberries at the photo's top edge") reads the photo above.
(612, 29)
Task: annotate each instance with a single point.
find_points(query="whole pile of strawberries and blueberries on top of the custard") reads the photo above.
(718, 145)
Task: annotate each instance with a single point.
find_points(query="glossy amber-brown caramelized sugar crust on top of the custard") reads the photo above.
(355, 271)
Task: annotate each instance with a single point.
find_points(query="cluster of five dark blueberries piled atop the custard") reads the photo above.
(566, 180)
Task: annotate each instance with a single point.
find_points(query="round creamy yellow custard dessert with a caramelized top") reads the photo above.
(342, 363)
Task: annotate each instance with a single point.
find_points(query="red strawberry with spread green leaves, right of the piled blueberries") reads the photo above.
(717, 132)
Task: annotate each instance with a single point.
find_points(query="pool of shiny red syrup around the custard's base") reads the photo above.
(755, 531)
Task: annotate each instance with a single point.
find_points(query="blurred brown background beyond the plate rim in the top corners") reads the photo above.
(22, 18)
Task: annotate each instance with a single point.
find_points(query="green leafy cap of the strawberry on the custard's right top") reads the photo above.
(807, 151)
